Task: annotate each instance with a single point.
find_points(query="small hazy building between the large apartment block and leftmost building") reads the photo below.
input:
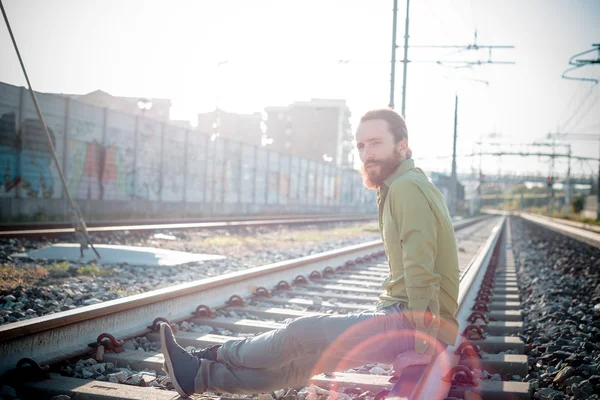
(245, 128)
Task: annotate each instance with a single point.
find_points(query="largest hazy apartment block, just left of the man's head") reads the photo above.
(318, 129)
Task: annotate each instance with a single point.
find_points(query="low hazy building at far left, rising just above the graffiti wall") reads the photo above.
(159, 109)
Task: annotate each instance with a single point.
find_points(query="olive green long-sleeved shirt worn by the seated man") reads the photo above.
(420, 244)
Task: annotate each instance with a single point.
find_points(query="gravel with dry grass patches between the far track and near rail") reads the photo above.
(65, 288)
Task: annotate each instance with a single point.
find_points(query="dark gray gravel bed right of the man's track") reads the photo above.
(559, 279)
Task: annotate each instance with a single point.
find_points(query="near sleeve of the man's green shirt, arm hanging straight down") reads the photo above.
(416, 225)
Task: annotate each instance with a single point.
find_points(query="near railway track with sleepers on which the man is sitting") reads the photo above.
(257, 300)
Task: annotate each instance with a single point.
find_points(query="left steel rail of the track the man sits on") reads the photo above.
(63, 335)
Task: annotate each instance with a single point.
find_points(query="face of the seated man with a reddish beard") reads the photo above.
(378, 152)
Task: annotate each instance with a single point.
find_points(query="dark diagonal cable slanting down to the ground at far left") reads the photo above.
(76, 218)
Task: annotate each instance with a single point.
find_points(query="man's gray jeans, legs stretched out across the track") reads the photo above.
(291, 355)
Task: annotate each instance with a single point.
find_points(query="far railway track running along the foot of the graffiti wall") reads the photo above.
(51, 229)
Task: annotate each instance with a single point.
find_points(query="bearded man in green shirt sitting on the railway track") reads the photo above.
(414, 318)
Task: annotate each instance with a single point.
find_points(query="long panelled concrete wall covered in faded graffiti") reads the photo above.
(106, 155)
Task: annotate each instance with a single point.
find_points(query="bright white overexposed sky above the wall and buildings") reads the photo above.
(280, 51)
